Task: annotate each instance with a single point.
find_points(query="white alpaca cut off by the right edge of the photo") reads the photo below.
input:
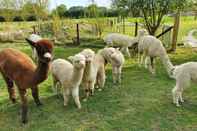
(184, 75)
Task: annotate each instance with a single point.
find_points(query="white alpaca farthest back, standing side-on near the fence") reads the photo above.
(122, 41)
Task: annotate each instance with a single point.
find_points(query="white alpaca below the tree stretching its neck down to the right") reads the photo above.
(149, 47)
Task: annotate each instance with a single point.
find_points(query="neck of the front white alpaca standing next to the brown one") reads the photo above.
(77, 75)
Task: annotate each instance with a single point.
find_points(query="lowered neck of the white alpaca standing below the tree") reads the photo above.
(167, 64)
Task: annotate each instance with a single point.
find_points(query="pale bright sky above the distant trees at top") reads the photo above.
(69, 3)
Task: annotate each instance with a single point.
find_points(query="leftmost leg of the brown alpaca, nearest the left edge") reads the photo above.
(11, 90)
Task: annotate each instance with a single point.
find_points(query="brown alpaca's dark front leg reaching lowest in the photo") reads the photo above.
(23, 96)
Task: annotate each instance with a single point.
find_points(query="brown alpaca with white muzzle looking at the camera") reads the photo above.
(16, 67)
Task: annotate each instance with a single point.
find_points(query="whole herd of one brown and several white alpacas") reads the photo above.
(86, 68)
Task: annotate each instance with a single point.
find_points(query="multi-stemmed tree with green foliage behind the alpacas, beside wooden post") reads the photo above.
(152, 11)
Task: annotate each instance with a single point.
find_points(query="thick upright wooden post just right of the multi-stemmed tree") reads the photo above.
(175, 30)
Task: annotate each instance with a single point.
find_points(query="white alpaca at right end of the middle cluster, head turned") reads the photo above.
(116, 59)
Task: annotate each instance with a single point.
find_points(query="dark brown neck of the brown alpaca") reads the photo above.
(41, 72)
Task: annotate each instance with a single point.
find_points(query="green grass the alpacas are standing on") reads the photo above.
(141, 102)
